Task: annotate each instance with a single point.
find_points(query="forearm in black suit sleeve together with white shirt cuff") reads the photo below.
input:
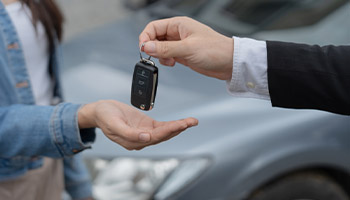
(292, 75)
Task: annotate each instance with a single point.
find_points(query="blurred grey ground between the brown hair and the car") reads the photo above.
(82, 15)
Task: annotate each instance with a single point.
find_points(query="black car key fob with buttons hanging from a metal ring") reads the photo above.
(144, 84)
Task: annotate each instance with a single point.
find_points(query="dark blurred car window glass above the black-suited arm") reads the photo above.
(278, 14)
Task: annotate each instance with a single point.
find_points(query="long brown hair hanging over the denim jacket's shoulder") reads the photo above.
(48, 13)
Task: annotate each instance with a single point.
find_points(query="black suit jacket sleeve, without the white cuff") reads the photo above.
(309, 77)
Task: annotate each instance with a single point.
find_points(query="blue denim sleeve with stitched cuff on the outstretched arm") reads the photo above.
(29, 130)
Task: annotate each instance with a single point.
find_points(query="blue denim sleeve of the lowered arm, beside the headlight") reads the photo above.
(77, 179)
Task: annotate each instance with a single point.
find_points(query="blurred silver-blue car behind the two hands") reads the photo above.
(243, 149)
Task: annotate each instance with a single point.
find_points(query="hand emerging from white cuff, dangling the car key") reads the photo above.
(186, 41)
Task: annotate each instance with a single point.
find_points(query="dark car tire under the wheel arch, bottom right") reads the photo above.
(302, 186)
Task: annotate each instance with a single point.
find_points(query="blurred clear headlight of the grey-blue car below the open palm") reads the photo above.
(141, 179)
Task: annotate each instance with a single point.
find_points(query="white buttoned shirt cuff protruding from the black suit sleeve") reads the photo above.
(249, 74)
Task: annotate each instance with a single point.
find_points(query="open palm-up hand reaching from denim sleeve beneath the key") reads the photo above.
(129, 127)
